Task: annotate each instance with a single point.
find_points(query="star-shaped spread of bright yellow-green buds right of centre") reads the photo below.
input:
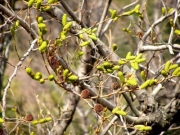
(133, 60)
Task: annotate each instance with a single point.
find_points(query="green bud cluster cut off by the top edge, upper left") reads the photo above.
(38, 5)
